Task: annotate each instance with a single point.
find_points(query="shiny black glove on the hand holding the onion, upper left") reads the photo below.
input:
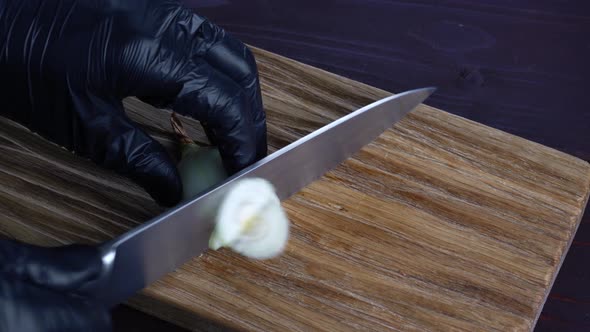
(66, 65)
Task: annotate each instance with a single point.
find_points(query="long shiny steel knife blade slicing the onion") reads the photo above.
(143, 255)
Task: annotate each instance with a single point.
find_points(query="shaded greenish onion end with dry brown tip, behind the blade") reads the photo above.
(200, 167)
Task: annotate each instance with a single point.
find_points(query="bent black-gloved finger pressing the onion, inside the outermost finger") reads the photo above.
(223, 109)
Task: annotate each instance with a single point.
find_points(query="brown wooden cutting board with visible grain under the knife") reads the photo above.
(440, 224)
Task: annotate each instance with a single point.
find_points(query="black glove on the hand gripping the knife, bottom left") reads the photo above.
(37, 286)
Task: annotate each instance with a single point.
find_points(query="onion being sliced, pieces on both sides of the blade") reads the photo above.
(250, 219)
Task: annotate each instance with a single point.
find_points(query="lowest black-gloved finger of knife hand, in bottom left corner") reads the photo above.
(26, 307)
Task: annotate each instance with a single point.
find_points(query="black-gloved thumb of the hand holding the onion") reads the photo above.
(113, 141)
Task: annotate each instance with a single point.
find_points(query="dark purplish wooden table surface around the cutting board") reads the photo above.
(516, 65)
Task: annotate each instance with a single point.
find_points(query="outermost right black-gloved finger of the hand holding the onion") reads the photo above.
(233, 58)
